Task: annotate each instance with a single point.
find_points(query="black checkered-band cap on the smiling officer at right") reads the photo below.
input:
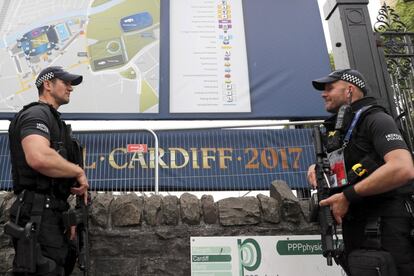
(348, 75)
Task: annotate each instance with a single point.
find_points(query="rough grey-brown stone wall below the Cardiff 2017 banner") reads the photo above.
(132, 235)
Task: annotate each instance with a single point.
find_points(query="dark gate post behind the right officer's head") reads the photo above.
(354, 45)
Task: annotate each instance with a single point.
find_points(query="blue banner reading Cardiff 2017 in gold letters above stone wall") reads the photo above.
(191, 160)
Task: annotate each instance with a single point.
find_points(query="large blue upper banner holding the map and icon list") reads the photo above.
(165, 59)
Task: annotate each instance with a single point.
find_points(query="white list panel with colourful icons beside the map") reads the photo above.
(208, 58)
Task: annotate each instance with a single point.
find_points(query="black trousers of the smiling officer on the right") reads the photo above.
(395, 238)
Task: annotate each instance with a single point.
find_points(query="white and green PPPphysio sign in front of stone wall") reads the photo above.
(260, 256)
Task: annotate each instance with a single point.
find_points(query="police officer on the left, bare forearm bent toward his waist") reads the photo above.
(43, 178)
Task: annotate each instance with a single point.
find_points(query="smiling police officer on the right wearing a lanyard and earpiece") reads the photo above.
(371, 171)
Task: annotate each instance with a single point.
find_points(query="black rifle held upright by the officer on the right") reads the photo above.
(325, 218)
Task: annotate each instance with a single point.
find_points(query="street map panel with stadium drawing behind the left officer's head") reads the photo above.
(113, 44)
